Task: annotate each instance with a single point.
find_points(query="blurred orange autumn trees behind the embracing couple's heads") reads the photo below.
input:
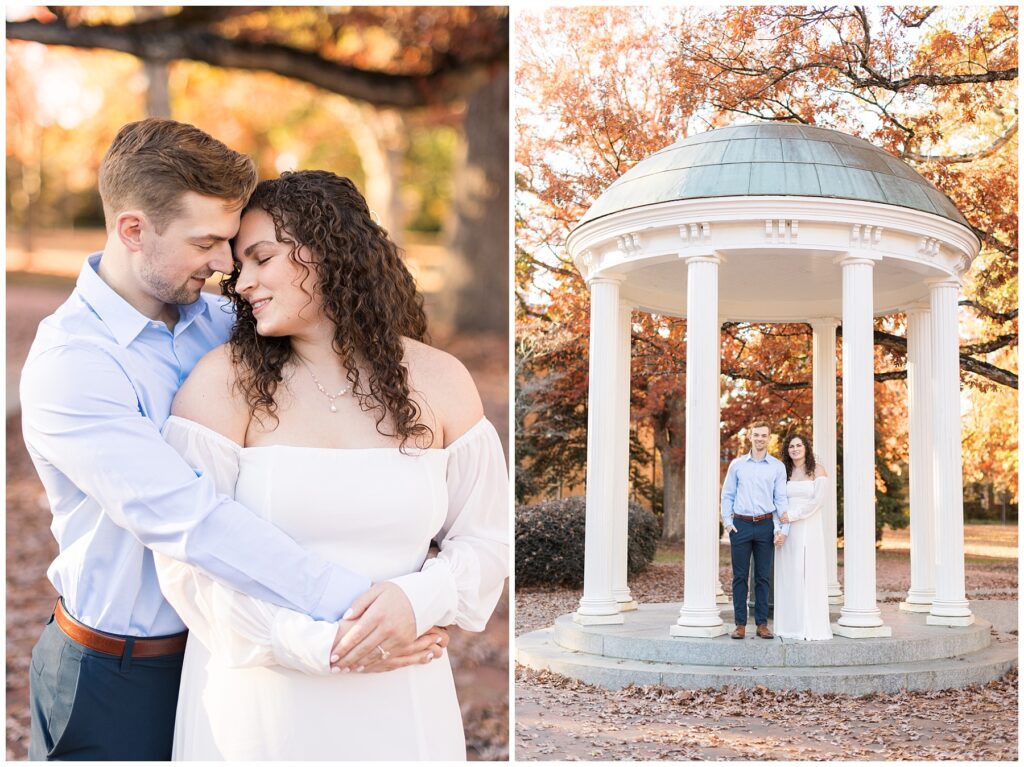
(382, 96)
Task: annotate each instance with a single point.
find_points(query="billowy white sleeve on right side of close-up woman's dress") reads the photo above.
(463, 583)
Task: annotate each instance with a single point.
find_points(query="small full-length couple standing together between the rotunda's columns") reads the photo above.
(770, 504)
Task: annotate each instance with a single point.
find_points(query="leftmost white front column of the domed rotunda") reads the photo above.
(599, 605)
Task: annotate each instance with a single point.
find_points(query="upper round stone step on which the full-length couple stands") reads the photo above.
(645, 636)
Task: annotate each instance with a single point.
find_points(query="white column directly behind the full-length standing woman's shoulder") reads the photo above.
(825, 440)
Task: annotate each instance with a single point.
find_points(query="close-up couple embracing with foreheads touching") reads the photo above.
(245, 490)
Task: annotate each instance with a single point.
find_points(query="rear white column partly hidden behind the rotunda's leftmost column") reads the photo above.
(621, 528)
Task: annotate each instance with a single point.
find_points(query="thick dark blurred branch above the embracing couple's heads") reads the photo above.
(447, 83)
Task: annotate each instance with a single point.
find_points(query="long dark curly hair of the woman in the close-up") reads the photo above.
(365, 289)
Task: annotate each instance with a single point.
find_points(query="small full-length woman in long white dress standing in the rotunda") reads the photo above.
(801, 586)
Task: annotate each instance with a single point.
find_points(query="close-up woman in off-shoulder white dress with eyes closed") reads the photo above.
(327, 414)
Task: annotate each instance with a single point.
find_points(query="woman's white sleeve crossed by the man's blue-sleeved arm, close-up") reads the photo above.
(243, 630)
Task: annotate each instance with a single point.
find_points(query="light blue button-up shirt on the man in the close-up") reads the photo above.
(97, 389)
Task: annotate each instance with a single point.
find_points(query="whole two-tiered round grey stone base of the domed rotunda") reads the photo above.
(642, 652)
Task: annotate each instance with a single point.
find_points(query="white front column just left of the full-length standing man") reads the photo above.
(700, 615)
